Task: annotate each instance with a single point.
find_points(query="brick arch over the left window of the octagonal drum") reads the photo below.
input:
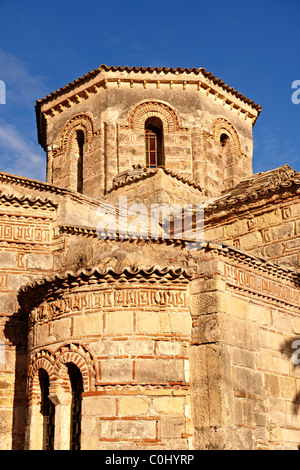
(80, 122)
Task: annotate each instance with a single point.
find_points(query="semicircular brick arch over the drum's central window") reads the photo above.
(160, 109)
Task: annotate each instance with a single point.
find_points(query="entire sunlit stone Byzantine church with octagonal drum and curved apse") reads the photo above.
(119, 337)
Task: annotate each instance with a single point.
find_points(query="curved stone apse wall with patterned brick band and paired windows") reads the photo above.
(136, 389)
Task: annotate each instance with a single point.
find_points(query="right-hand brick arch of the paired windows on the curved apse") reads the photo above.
(78, 355)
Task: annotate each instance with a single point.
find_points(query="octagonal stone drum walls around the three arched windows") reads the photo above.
(112, 116)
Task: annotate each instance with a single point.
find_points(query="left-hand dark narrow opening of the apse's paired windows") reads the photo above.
(47, 411)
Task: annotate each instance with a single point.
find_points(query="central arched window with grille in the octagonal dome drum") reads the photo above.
(154, 142)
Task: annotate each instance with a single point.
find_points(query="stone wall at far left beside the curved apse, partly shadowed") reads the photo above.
(25, 237)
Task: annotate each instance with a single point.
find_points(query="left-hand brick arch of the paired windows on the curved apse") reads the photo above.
(41, 360)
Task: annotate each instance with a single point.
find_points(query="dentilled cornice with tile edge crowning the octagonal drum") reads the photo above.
(104, 77)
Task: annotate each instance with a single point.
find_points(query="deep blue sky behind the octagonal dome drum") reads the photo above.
(253, 46)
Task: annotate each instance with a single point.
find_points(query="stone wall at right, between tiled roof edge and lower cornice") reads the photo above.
(269, 229)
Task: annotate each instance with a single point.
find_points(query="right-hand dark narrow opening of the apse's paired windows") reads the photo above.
(77, 389)
